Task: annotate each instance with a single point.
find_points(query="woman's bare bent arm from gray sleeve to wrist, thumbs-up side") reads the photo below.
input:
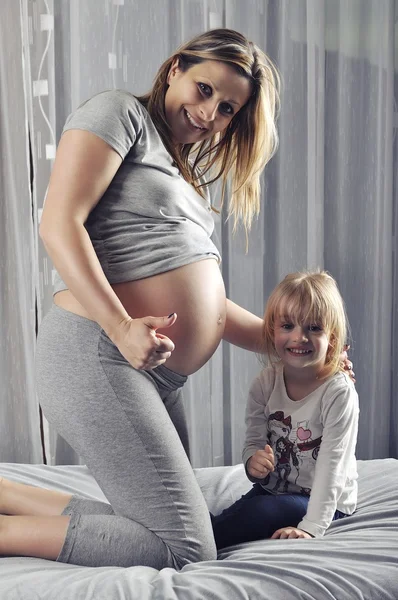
(83, 169)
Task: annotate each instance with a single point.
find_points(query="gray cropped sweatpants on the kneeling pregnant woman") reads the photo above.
(129, 428)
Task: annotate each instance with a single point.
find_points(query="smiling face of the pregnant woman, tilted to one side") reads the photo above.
(202, 101)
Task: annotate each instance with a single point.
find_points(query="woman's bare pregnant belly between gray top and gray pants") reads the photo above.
(195, 292)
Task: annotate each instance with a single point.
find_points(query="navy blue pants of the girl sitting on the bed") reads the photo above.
(257, 515)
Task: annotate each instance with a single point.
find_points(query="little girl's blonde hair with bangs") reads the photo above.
(309, 297)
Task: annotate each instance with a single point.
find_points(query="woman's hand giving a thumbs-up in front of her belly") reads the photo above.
(139, 343)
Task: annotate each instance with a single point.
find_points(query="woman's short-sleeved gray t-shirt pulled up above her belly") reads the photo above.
(149, 220)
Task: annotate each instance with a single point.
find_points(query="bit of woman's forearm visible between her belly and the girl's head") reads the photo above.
(243, 329)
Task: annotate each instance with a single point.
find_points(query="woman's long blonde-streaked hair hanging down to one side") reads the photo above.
(247, 144)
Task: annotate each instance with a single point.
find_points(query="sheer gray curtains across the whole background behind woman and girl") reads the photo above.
(328, 195)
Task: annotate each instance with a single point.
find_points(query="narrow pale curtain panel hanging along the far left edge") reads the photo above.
(19, 413)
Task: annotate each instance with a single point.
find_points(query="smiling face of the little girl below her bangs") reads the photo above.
(300, 346)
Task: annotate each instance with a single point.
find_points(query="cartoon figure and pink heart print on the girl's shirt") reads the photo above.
(294, 450)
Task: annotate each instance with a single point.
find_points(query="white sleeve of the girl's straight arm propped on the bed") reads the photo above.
(335, 462)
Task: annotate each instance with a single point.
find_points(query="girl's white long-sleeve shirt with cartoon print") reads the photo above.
(313, 440)
